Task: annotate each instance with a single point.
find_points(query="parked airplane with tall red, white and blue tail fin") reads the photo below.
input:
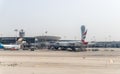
(73, 44)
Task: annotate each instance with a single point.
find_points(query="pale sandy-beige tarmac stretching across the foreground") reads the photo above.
(105, 61)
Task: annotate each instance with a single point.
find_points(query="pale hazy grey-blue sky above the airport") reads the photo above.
(61, 18)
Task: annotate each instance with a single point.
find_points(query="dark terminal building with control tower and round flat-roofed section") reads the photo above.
(29, 40)
